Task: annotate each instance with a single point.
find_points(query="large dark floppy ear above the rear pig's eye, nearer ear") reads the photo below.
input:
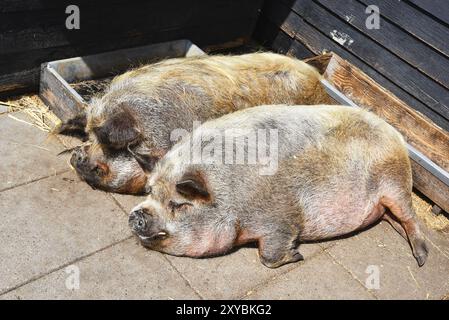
(118, 131)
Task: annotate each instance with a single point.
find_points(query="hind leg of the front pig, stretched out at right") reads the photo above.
(403, 212)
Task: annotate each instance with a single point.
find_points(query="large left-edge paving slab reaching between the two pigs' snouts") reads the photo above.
(51, 222)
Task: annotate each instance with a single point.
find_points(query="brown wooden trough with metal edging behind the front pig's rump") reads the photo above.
(428, 144)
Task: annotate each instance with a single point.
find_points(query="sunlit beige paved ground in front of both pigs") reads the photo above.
(54, 227)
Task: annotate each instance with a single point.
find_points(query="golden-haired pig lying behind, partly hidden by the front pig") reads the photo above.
(134, 117)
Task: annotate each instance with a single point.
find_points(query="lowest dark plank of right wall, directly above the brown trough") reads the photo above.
(296, 27)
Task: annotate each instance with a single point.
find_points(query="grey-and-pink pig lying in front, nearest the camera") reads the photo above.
(339, 170)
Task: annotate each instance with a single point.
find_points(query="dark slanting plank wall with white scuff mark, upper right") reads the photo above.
(408, 55)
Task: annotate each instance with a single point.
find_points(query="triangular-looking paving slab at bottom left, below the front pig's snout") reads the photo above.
(123, 271)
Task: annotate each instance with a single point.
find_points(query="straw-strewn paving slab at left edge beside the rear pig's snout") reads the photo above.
(27, 153)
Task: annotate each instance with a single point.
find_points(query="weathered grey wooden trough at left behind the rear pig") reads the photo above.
(58, 77)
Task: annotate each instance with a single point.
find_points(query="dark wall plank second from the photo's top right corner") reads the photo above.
(413, 21)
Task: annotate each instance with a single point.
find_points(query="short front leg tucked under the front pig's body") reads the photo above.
(278, 249)
